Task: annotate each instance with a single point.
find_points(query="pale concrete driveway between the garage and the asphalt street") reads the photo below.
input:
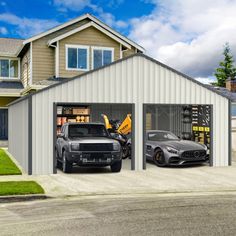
(152, 181)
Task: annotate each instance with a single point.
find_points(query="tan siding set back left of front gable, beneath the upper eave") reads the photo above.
(43, 57)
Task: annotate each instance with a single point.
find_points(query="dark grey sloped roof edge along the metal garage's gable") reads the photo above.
(225, 95)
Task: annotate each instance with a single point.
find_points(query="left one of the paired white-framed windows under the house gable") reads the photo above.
(77, 57)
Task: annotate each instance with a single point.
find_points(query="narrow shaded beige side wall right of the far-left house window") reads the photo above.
(25, 68)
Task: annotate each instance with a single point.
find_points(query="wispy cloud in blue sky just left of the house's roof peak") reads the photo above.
(26, 27)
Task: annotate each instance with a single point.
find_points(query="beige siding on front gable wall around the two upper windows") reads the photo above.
(88, 37)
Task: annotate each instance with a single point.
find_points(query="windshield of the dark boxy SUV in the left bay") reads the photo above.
(87, 131)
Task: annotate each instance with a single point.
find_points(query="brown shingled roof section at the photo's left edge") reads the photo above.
(9, 47)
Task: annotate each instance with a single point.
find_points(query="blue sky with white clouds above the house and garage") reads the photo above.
(187, 35)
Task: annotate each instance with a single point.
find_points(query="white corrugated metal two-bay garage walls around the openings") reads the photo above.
(136, 80)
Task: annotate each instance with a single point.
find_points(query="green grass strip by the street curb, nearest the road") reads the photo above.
(20, 188)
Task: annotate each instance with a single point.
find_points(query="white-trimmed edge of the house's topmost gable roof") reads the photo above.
(92, 18)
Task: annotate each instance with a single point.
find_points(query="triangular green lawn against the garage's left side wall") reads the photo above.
(7, 166)
